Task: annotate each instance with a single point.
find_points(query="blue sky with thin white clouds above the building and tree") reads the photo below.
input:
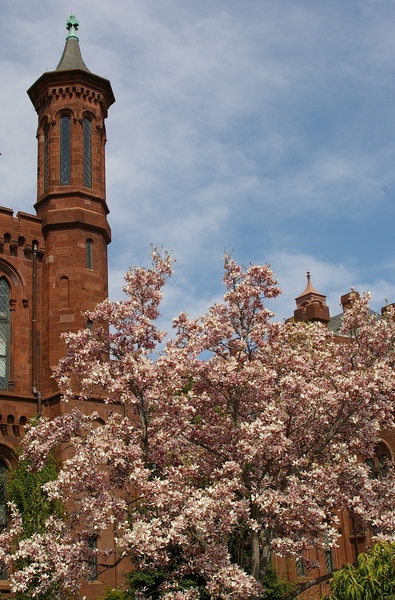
(262, 127)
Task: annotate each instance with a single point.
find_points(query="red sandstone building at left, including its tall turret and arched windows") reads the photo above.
(53, 264)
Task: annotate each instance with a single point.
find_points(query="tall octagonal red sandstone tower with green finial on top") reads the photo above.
(72, 105)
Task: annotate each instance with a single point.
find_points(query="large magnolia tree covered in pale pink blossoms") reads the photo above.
(240, 432)
